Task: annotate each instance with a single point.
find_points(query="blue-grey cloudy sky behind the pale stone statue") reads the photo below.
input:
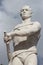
(9, 17)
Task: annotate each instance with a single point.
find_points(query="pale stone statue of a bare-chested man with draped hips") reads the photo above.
(25, 37)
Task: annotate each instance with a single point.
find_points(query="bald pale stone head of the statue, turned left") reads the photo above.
(25, 12)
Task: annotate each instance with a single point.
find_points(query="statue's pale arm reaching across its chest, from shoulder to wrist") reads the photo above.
(35, 27)
